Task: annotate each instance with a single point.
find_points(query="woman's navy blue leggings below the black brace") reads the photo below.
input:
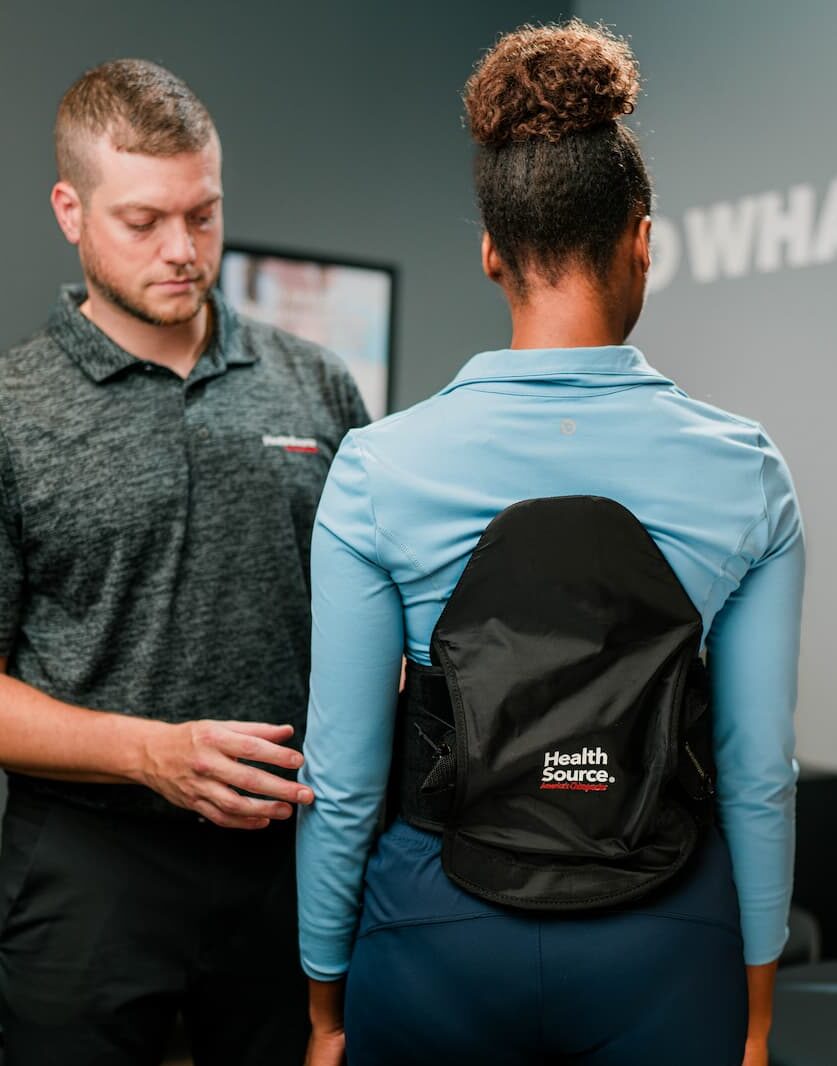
(440, 978)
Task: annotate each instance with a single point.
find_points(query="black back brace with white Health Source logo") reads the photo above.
(561, 739)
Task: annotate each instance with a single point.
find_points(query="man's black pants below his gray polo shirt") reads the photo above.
(112, 924)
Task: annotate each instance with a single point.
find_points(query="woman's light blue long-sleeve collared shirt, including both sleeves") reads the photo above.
(406, 504)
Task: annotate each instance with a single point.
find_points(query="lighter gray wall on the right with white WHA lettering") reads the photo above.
(738, 126)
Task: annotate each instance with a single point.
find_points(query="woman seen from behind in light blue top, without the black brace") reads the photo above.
(439, 975)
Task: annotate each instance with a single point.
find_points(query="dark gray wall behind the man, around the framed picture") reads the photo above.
(342, 131)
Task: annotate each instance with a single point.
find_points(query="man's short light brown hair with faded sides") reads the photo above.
(140, 106)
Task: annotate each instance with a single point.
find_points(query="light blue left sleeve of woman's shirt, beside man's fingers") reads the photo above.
(357, 648)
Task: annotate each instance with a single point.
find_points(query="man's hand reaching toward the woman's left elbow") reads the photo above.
(196, 765)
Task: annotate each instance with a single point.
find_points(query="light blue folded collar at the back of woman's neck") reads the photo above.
(611, 366)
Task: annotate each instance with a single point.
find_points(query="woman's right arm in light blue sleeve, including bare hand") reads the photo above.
(753, 661)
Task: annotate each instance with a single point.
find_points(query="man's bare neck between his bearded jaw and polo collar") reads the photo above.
(179, 347)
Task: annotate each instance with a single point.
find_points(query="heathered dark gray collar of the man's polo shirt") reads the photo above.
(102, 359)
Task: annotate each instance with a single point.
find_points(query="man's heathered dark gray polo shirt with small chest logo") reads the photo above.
(154, 532)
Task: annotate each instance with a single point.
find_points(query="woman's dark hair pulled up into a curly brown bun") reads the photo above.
(558, 175)
